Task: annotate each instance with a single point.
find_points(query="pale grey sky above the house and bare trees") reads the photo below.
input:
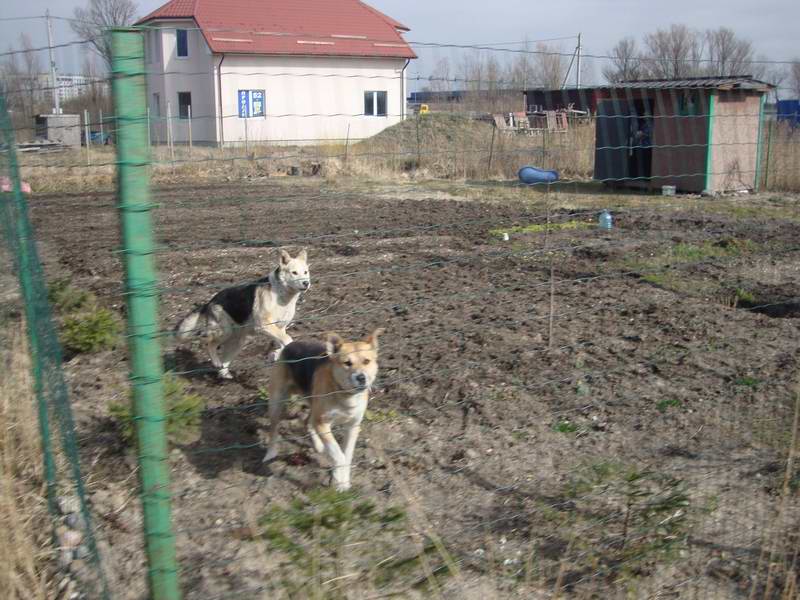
(771, 25)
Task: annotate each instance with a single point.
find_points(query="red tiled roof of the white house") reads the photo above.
(305, 27)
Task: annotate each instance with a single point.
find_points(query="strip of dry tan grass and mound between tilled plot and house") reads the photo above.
(445, 146)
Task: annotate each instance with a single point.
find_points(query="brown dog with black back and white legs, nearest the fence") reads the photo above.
(336, 376)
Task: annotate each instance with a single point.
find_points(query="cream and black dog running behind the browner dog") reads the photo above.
(236, 313)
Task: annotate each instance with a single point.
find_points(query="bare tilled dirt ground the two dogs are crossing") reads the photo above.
(640, 452)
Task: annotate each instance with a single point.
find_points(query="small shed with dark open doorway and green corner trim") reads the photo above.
(697, 134)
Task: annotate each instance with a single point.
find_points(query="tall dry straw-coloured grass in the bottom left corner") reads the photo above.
(23, 511)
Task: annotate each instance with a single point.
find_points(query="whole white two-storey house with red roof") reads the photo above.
(279, 71)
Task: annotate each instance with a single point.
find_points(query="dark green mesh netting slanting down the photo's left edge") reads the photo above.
(74, 539)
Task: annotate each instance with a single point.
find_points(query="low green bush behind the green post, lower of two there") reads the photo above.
(184, 412)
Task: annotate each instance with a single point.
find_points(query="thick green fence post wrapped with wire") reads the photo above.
(146, 363)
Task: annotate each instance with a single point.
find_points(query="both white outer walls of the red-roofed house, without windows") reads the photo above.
(306, 98)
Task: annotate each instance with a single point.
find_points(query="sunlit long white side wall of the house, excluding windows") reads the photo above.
(309, 98)
